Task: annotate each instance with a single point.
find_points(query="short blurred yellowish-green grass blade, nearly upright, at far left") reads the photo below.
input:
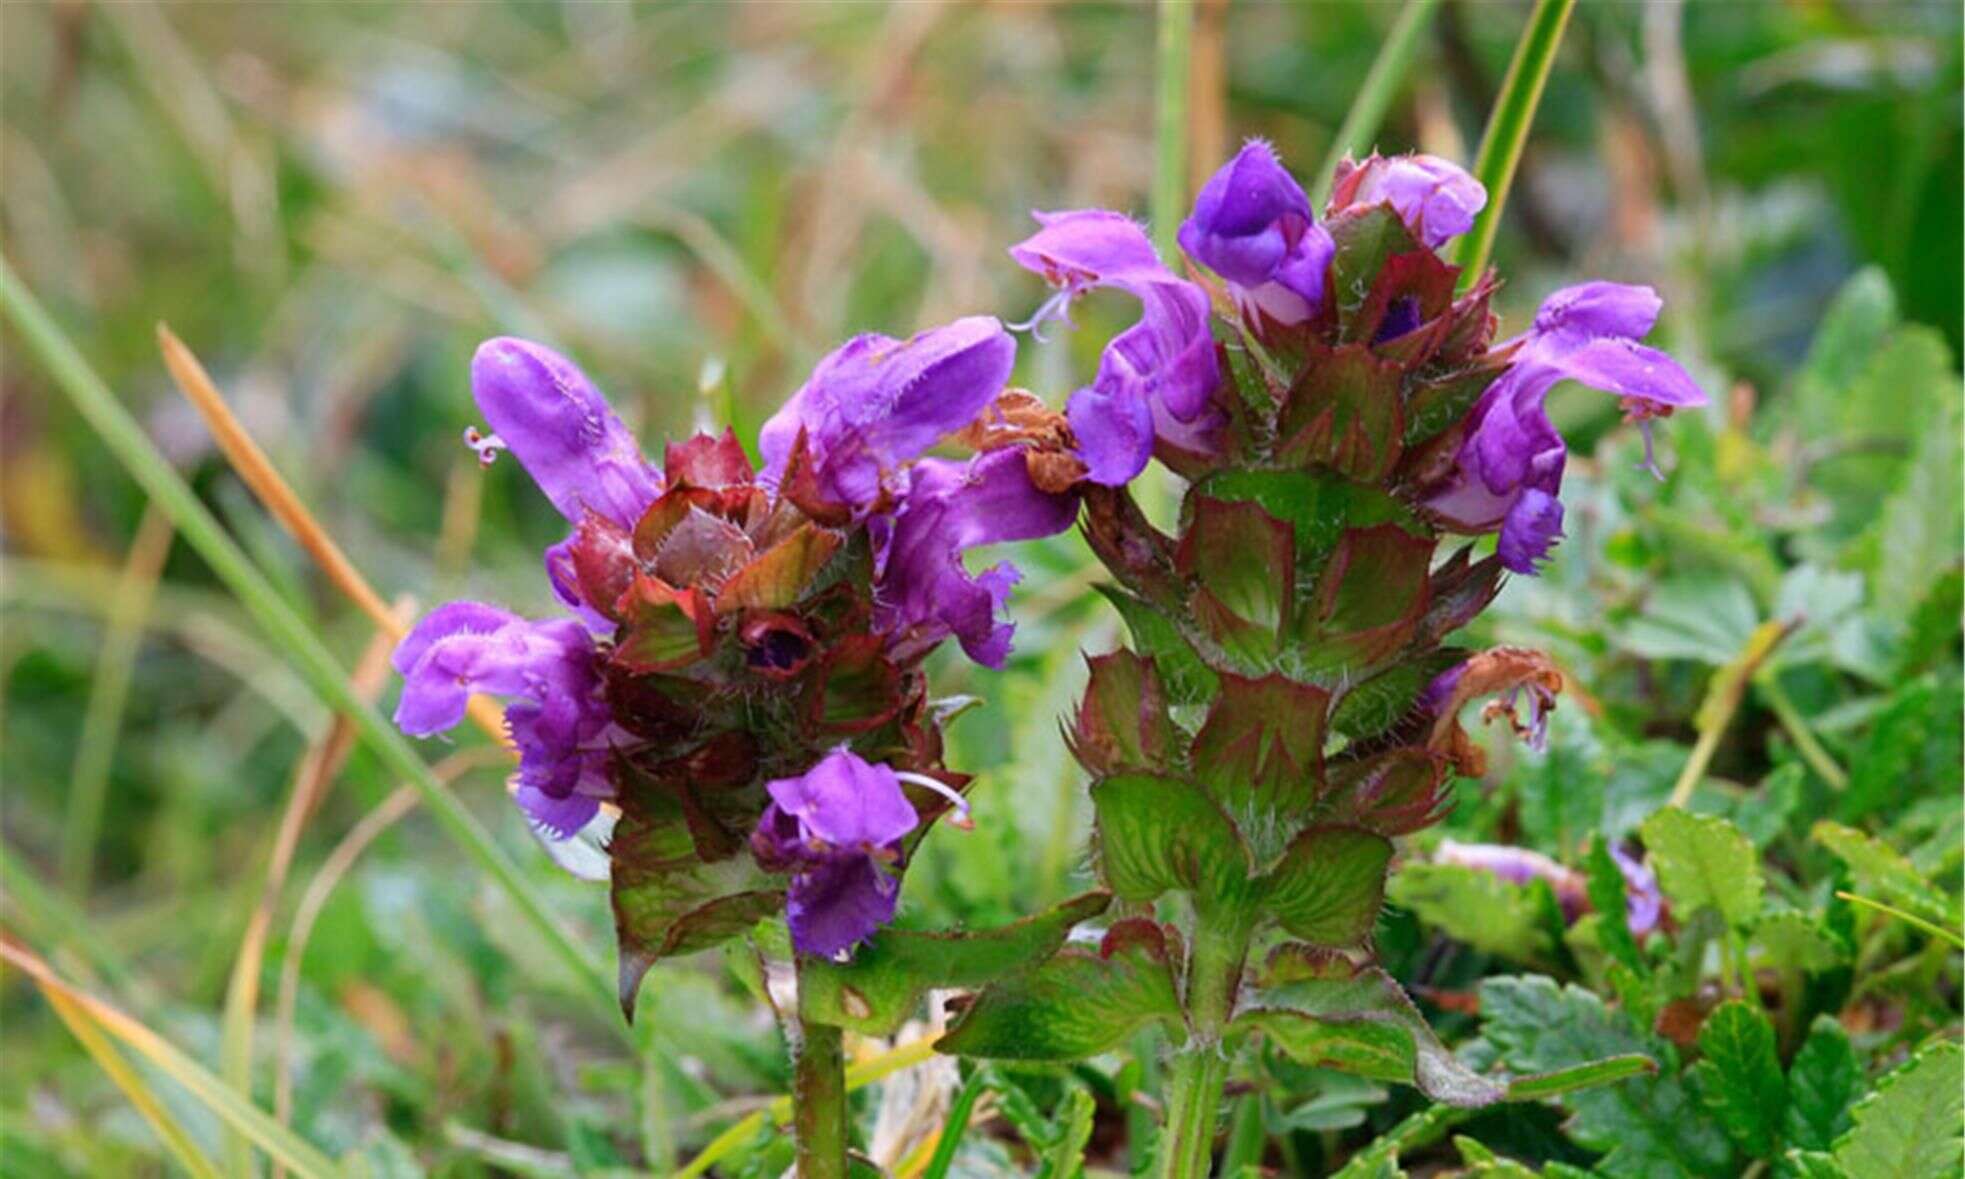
(95, 752)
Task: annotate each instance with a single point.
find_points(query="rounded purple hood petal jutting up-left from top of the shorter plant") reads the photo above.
(563, 431)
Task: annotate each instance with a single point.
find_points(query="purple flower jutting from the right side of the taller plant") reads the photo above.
(1510, 467)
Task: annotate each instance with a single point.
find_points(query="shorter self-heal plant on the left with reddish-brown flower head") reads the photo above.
(738, 679)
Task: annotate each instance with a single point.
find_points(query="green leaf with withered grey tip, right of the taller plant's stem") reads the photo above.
(1365, 1025)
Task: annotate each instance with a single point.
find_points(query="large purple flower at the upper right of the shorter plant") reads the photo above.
(875, 404)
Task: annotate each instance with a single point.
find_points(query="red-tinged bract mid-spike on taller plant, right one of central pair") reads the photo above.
(1369, 598)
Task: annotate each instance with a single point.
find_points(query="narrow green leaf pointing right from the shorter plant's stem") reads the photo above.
(879, 989)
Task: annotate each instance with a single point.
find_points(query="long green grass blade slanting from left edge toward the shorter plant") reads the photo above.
(292, 638)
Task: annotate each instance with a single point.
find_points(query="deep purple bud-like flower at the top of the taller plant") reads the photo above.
(1253, 225)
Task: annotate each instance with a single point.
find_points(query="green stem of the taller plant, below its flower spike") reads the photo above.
(1202, 1068)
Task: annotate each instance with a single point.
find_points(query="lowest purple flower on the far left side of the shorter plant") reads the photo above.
(547, 671)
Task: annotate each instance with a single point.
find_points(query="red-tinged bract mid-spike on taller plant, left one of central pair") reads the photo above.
(1245, 559)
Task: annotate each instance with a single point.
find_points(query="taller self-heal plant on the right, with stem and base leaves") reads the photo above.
(1292, 697)
